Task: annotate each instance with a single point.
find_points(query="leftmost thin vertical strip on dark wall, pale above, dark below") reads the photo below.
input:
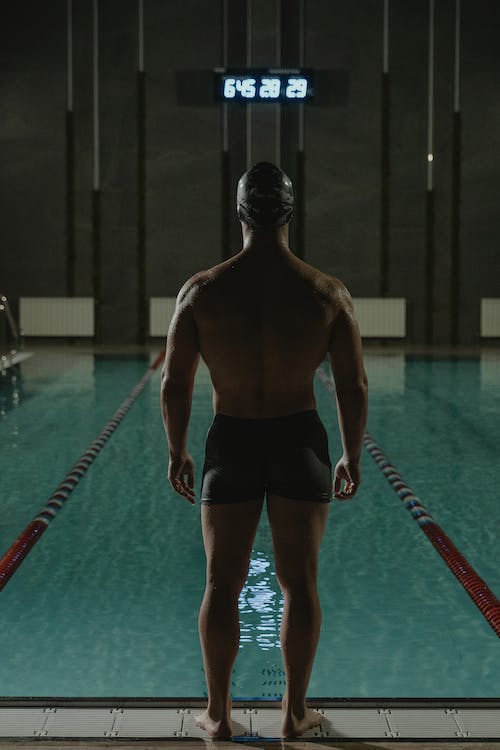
(70, 158)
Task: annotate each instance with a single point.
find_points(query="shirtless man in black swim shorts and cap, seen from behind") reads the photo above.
(263, 321)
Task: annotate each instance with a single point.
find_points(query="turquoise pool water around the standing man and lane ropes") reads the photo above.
(106, 604)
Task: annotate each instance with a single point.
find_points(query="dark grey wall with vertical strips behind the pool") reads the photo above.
(183, 231)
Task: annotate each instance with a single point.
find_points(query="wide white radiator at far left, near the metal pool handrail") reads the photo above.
(56, 316)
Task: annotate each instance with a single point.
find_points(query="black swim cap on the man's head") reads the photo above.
(265, 196)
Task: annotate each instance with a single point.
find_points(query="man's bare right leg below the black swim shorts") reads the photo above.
(297, 528)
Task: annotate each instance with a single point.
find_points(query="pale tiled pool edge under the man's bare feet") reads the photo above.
(361, 723)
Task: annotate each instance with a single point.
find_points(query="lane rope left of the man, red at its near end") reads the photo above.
(18, 551)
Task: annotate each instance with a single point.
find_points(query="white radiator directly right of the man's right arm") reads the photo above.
(380, 316)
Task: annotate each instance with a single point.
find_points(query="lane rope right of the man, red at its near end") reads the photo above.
(482, 596)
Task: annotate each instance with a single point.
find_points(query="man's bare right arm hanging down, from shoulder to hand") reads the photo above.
(351, 384)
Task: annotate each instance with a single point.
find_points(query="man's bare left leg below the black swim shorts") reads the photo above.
(228, 534)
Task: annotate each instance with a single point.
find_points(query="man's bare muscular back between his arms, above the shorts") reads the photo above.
(264, 324)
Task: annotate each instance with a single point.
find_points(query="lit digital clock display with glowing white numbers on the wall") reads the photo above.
(264, 85)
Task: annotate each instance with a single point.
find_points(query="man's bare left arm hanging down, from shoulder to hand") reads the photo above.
(182, 357)
